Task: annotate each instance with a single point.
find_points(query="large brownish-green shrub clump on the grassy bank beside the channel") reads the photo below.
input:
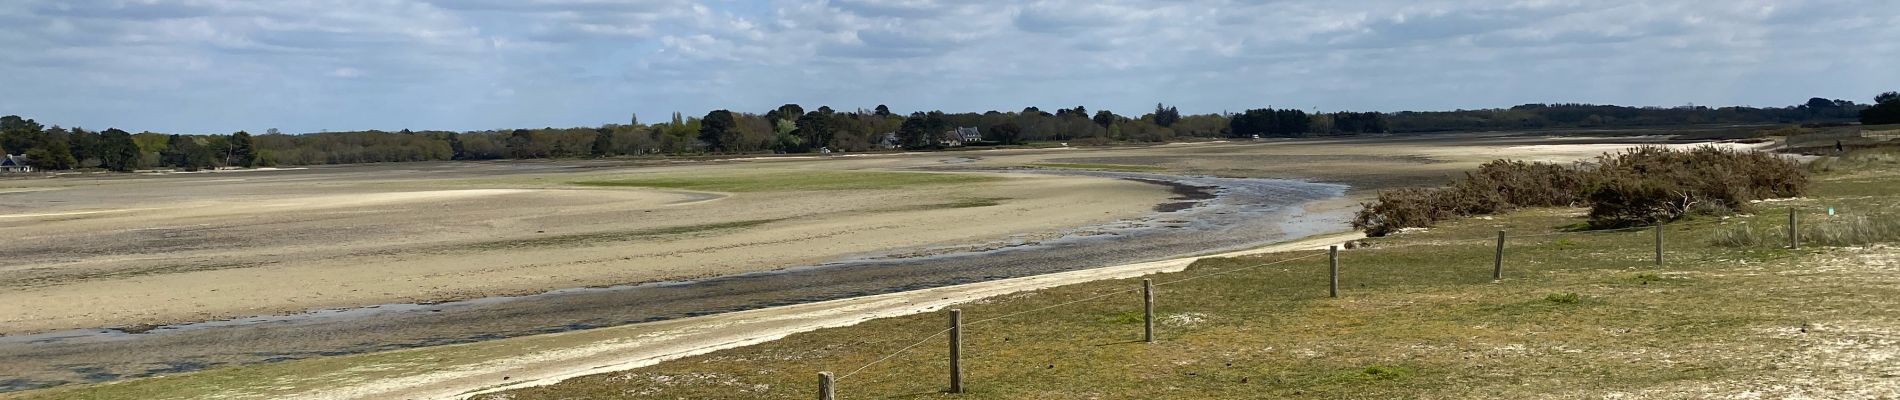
(1633, 189)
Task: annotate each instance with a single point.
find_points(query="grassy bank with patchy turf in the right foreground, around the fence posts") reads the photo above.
(1580, 316)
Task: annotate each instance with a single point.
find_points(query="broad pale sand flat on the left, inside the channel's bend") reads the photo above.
(128, 251)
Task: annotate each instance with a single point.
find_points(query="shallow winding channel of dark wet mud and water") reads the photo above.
(1240, 213)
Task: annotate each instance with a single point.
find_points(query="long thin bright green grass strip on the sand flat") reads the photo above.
(793, 181)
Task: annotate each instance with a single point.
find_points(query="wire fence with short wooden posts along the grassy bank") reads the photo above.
(827, 384)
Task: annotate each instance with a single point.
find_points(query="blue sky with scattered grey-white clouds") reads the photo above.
(465, 65)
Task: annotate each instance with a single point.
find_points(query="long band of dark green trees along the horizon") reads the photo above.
(793, 130)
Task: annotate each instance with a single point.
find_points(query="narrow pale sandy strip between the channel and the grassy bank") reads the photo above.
(554, 357)
